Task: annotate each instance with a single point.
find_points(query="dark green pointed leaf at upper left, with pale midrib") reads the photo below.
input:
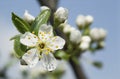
(20, 24)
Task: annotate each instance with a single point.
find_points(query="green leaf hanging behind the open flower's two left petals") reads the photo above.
(19, 48)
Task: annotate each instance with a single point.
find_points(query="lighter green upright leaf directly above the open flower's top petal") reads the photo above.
(41, 19)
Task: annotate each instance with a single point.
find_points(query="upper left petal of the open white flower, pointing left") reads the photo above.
(29, 39)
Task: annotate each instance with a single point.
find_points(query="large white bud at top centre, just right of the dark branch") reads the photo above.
(61, 14)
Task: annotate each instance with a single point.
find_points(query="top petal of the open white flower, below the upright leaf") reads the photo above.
(45, 32)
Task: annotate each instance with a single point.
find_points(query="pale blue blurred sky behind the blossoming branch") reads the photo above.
(106, 15)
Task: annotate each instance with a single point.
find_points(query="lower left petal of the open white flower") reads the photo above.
(31, 57)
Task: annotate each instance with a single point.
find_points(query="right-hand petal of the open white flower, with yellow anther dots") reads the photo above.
(56, 43)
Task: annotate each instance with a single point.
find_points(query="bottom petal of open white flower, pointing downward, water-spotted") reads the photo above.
(49, 62)
